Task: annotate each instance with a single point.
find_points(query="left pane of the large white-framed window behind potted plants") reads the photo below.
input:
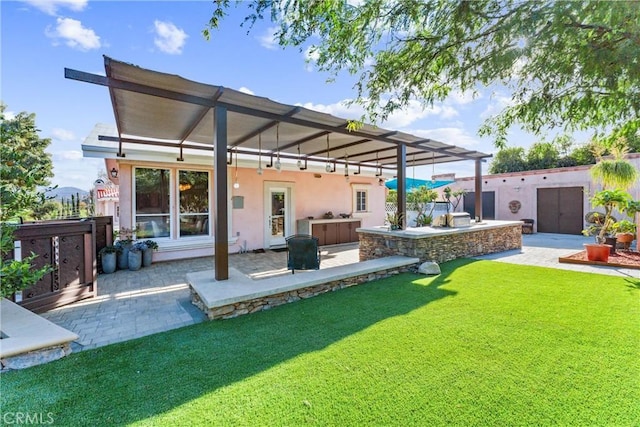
(152, 188)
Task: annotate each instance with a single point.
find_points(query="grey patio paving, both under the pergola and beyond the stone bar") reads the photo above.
(132, 304)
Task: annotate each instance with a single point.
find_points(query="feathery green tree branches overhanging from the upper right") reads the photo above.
(569, 65)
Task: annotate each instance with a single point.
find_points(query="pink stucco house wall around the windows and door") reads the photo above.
(313, 194)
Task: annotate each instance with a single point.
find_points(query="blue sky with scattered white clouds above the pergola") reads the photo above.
(39, 38)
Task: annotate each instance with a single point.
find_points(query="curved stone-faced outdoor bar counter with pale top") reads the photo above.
(440, 244)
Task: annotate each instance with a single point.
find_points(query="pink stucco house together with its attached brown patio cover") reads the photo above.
(205, 169)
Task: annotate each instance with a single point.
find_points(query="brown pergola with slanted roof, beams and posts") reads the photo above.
(167, 110)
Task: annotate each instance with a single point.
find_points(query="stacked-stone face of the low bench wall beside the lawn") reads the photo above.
(270, 301)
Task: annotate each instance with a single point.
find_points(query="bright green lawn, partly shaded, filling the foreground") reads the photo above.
(484, 343)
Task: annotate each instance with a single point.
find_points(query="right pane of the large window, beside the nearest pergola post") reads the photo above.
(194, 203)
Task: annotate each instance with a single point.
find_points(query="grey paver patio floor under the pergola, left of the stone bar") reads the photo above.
(132, 304)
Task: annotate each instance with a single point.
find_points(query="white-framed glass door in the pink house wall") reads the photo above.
(278, 214)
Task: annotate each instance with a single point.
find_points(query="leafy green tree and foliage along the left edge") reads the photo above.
(24, 167)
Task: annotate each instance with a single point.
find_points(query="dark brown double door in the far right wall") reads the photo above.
(560, 210)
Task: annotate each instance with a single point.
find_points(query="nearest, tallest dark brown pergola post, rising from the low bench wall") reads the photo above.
(220, 208)
